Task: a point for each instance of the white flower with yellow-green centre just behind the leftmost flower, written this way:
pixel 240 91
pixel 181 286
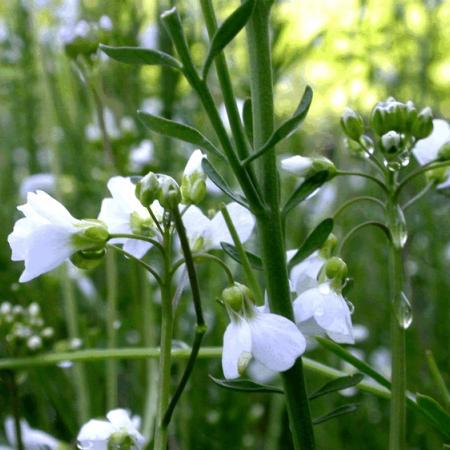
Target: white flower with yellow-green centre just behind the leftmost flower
pixel 124 214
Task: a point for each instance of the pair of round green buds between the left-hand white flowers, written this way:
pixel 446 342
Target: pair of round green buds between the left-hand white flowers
pixel 160 187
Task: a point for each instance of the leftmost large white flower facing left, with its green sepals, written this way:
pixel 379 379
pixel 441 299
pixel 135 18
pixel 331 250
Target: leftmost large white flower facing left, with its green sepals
pixel 45 237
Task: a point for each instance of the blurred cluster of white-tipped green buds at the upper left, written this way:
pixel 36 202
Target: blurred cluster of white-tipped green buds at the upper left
pixel 84 38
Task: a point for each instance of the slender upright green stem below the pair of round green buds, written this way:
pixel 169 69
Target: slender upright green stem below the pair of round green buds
pixel 161 436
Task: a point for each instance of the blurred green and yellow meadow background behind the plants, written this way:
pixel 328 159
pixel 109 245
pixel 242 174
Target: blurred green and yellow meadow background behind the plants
pixel 353 53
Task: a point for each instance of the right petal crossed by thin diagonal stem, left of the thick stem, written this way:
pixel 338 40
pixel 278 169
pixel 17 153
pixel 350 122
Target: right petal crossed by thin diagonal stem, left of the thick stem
pixel 243 221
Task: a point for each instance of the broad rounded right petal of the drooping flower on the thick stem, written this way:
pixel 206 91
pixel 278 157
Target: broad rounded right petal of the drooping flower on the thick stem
pixel 276 341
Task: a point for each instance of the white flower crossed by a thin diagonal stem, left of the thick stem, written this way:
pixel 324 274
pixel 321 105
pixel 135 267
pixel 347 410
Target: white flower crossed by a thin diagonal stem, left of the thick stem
pixel 205 234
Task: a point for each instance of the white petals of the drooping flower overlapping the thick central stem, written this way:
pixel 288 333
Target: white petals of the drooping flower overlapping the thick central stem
pixel 272 340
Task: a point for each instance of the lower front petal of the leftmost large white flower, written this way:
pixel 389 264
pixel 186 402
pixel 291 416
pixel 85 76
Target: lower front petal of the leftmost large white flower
pixel 48 247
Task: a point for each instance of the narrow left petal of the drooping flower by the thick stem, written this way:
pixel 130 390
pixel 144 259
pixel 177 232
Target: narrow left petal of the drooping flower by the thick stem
pixel 236 341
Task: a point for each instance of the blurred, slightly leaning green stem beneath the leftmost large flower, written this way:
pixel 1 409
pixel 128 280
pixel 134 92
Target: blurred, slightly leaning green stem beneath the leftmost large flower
pixel 73 331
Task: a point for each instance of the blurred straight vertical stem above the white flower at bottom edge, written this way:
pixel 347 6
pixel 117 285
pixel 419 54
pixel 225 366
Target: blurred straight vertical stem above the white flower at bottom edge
pixel 111 331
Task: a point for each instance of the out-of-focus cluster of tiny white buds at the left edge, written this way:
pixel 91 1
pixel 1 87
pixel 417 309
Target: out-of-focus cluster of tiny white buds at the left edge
pixel 22 330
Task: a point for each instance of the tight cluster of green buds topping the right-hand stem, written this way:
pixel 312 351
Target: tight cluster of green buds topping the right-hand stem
pixel 395 128
